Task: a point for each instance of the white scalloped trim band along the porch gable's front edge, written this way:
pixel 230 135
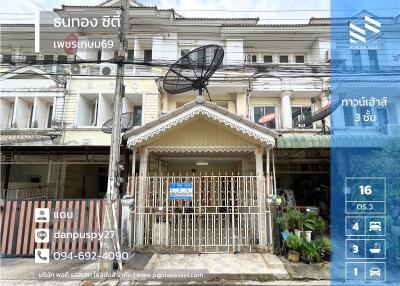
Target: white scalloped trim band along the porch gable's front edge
pixel 200 110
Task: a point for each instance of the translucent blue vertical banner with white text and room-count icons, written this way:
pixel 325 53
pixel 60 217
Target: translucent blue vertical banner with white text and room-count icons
pixel 365 142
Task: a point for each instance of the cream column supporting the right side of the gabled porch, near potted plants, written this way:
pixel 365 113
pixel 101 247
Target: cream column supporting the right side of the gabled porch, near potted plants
pixel 261 199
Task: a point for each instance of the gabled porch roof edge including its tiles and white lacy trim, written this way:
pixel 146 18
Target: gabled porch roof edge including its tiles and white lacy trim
pixel 251 131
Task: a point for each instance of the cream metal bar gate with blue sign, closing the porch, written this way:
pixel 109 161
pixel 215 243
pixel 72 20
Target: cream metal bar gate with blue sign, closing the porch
pixel 224 214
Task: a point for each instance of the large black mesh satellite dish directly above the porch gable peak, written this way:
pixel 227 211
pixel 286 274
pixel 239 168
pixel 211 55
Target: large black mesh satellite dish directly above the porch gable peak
pixel 193 70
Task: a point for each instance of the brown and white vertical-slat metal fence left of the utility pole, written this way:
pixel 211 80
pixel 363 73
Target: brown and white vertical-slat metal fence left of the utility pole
pixel 17 226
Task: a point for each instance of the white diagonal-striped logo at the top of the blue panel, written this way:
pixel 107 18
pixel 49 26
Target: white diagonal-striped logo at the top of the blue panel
pixel 359 34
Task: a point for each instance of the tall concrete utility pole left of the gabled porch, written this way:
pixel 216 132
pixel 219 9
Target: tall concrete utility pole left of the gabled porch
pixel 112 244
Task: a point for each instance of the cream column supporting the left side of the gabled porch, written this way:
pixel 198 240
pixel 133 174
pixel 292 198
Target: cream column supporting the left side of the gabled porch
pixel 140 199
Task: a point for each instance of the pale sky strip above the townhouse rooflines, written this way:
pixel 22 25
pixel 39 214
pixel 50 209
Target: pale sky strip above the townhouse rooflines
pixel 278 11
